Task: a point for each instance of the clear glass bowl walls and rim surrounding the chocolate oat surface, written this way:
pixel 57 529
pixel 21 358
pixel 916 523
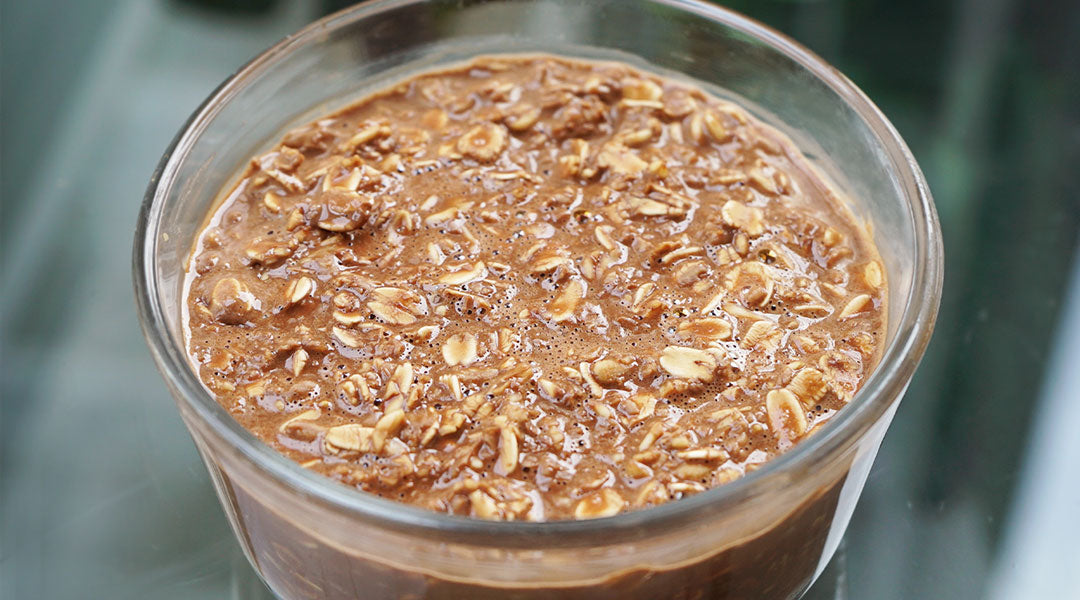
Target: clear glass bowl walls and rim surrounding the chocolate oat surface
pixel 765 536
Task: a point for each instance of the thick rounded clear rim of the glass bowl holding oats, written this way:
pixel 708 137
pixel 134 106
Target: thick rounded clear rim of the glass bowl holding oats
pixel 888 381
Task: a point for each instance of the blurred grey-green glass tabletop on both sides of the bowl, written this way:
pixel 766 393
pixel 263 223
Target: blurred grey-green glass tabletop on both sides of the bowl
pixel 977 488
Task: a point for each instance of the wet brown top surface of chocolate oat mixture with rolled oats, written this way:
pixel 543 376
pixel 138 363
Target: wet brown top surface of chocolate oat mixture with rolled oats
pixel 534 289
